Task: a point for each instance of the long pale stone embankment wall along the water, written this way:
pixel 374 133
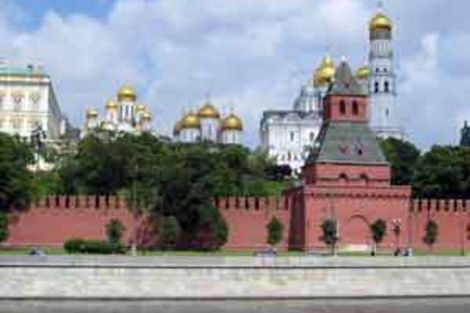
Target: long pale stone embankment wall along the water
pixel 172 278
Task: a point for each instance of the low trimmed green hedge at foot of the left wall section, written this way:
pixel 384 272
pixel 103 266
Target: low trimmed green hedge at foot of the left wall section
pixel 77 245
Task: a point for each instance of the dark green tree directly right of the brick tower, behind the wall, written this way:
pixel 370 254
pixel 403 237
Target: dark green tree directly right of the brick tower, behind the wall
pixel 403 157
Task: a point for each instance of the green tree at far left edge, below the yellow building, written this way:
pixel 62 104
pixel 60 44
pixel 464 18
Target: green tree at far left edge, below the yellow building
pixel 15 179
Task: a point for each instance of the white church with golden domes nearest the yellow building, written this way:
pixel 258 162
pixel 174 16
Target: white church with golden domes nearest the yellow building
pixel 122 114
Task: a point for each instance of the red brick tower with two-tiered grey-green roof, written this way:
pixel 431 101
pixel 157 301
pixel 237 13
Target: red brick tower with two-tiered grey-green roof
pixel 347 177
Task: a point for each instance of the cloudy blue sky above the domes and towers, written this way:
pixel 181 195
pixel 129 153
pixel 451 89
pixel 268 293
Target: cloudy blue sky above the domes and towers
pixel 251 55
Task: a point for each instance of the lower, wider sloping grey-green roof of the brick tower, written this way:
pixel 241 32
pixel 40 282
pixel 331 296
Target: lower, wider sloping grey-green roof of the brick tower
pixel 347 142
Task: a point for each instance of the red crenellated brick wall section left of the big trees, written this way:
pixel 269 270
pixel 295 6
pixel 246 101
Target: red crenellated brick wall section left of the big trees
pixel 54 220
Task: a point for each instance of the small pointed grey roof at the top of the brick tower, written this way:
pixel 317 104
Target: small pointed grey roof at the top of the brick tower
pixel 345 83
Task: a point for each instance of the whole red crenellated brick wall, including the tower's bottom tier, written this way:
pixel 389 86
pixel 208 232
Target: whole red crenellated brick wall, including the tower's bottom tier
pixel 53 220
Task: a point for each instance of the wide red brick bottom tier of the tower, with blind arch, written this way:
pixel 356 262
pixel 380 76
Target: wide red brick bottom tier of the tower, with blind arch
pixel 355 209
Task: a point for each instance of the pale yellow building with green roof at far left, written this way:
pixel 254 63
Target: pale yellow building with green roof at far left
pixel 28 100
